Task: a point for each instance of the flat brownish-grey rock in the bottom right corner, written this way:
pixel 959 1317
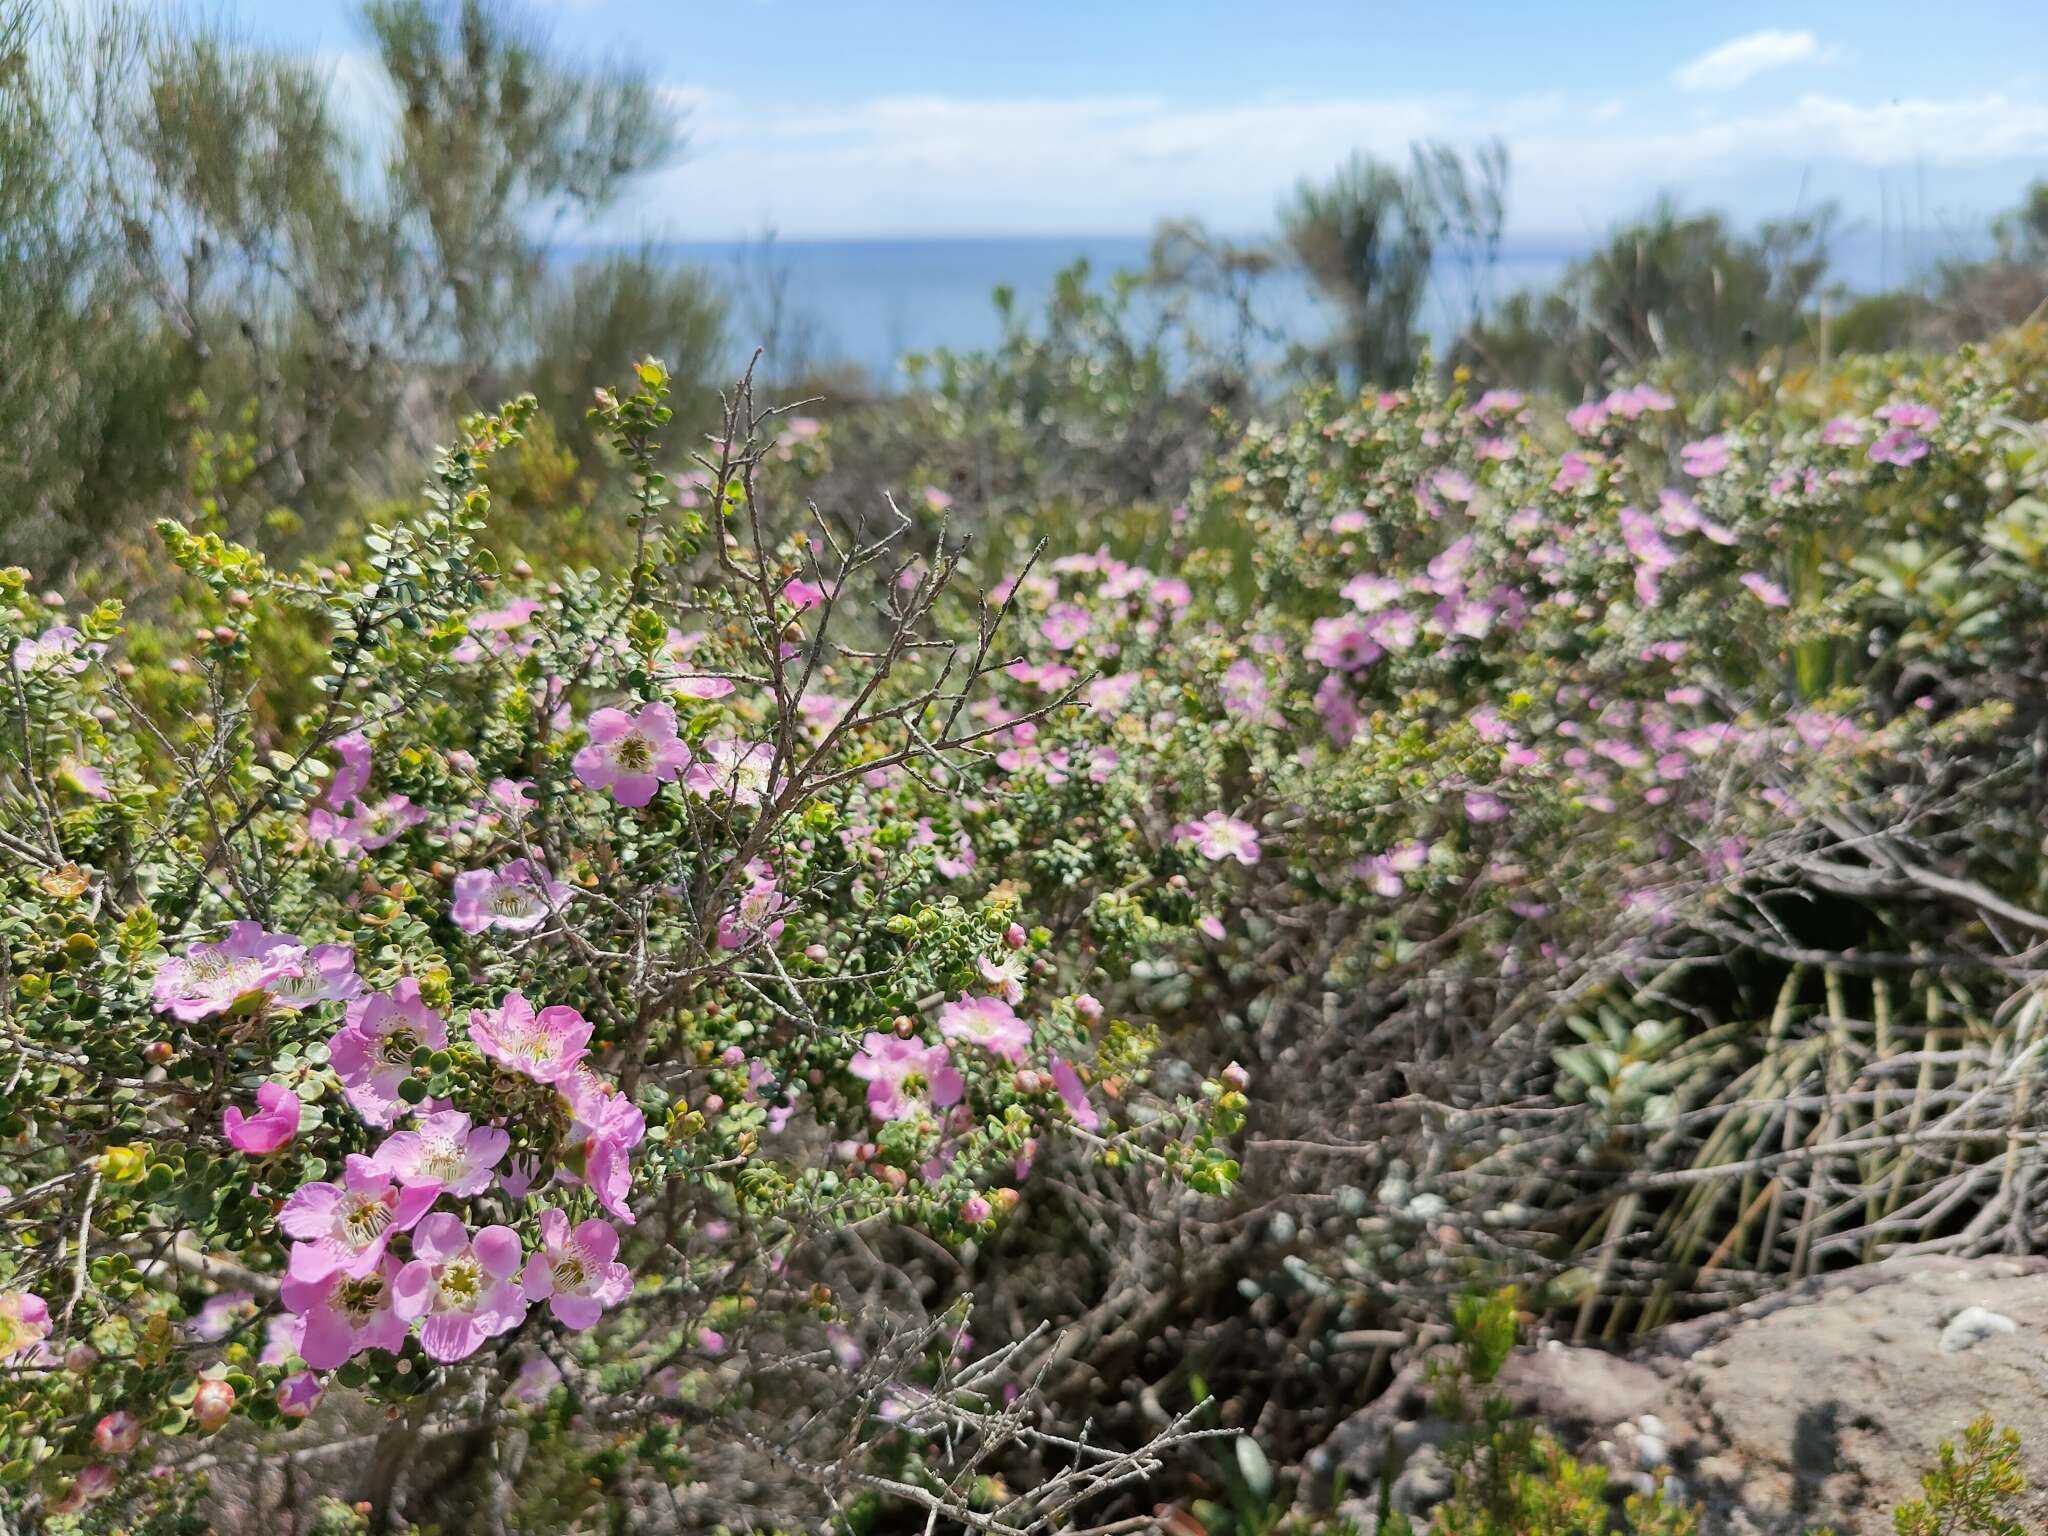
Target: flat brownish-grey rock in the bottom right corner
pixel 1814 1408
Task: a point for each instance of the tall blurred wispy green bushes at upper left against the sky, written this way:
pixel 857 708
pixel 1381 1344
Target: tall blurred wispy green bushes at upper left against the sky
pixel 202 253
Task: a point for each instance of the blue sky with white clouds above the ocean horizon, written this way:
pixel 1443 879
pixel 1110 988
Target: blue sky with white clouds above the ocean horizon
pixel 904 118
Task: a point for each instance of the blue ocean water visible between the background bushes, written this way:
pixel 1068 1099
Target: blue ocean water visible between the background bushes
pixel 871 302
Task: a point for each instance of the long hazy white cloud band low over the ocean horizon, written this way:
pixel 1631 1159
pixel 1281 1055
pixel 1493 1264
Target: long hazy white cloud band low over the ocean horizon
pixel 1115 165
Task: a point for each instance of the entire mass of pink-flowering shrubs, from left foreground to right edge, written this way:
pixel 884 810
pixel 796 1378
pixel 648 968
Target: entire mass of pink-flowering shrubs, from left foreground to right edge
pixel 671 1013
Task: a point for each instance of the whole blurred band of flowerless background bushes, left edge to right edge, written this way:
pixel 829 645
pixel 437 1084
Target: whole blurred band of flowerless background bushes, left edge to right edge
pixel 239 284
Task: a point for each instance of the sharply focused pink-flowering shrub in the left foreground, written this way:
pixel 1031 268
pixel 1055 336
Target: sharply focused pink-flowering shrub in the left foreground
pixel 466 1025
